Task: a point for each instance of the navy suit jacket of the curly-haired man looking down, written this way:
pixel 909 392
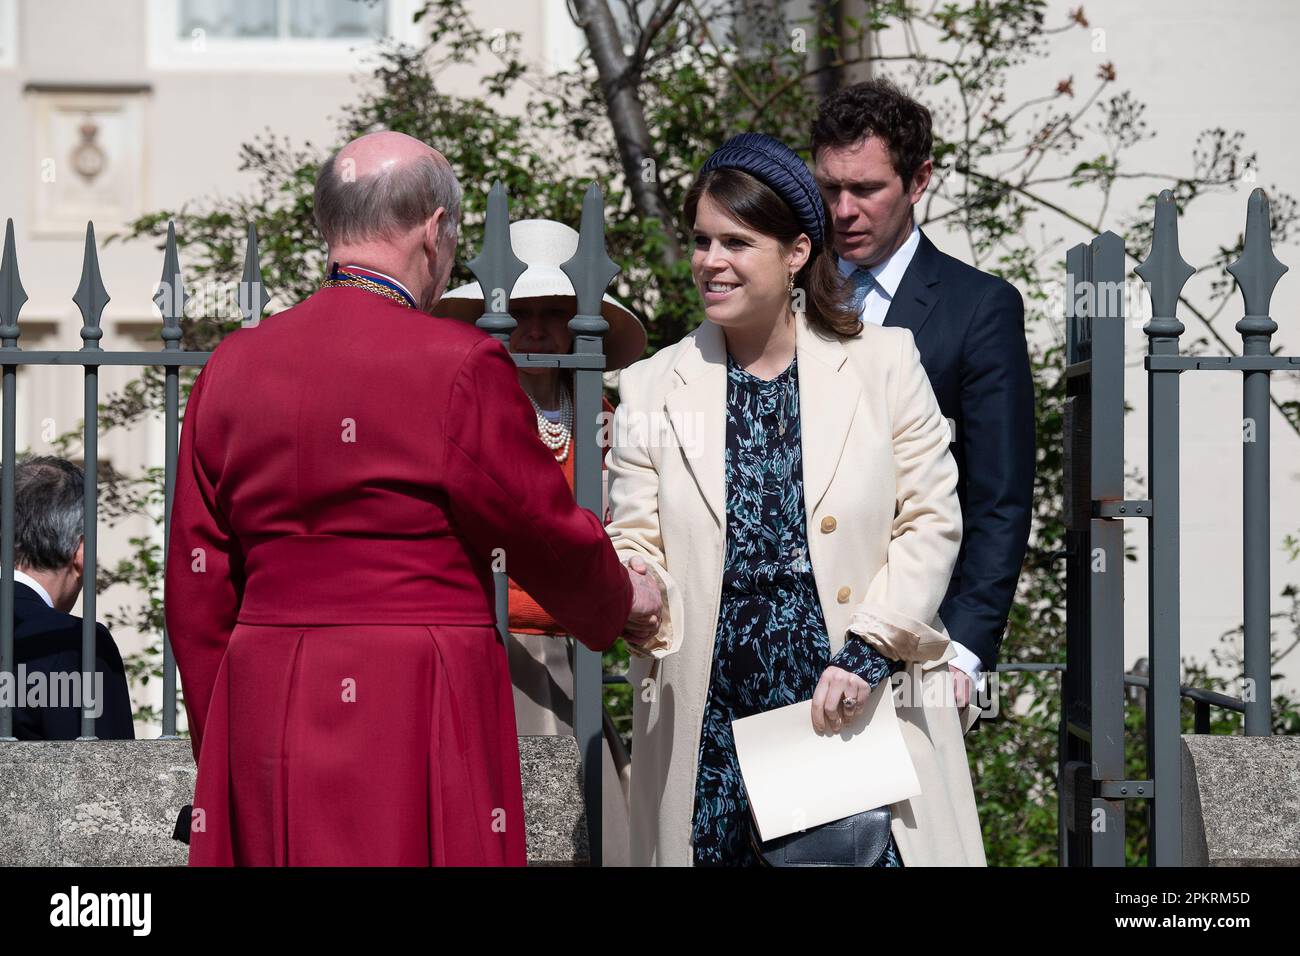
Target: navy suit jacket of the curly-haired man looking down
pixel 970 331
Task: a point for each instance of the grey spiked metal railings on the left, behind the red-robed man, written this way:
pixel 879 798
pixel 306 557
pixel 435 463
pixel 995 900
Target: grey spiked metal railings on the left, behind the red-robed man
pixel 497 269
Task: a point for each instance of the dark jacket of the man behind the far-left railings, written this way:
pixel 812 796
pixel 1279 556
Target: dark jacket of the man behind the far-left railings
pixel 49 641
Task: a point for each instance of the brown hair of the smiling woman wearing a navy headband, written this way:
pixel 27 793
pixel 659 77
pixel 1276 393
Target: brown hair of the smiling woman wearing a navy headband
pixel 747 200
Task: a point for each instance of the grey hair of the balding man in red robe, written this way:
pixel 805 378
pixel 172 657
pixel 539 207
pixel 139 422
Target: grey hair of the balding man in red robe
pixel 383 205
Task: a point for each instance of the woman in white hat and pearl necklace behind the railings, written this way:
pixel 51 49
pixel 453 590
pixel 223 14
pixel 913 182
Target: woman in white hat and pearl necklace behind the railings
pixel 543 302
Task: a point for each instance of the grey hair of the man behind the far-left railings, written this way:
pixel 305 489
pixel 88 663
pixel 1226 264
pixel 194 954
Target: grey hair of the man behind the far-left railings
pixel 47 513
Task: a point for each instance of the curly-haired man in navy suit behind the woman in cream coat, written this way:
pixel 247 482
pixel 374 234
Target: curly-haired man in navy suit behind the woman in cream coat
pixel 872 146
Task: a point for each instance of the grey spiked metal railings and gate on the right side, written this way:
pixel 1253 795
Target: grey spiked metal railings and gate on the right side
pixel 1093 773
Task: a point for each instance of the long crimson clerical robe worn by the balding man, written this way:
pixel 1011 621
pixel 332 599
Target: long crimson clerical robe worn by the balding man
pixel 348 471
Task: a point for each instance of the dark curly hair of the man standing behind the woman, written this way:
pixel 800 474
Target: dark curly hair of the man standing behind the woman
pixel 877 109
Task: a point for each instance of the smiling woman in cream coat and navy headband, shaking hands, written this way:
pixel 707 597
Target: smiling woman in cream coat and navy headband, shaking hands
pixel 804 533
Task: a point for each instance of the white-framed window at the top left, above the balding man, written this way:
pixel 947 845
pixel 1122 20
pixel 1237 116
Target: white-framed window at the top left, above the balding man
pixel 274 34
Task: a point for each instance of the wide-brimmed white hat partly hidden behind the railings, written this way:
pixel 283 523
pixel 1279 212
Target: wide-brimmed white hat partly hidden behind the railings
pixel 544 245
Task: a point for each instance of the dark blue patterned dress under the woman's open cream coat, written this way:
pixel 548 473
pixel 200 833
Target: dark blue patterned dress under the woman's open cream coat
pixel 772 643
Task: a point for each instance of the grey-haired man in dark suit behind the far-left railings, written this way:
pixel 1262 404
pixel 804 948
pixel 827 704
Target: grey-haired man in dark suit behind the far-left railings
pixel 47 578
